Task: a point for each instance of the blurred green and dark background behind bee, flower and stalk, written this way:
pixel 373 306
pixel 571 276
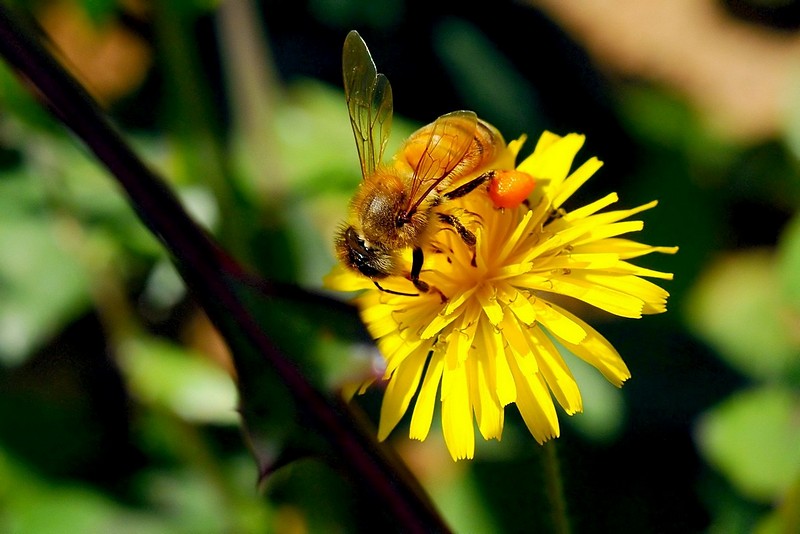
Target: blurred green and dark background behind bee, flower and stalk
pixel 117 407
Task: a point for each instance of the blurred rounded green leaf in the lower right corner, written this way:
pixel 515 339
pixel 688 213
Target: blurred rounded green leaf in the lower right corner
pixel 752 439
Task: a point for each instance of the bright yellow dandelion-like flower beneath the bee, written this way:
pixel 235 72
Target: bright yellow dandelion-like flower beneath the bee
pixel 490 341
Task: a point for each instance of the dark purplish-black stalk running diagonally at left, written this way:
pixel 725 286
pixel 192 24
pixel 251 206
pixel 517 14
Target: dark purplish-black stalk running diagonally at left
pixel 205 268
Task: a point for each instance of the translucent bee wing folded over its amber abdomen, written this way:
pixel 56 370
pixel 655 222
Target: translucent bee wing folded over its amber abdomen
pixel 450 138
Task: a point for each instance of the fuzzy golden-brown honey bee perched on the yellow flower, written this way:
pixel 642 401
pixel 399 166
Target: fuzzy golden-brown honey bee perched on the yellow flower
pixel 401 204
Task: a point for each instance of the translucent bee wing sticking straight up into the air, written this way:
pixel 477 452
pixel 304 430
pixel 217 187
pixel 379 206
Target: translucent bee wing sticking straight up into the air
pixel 369 102
